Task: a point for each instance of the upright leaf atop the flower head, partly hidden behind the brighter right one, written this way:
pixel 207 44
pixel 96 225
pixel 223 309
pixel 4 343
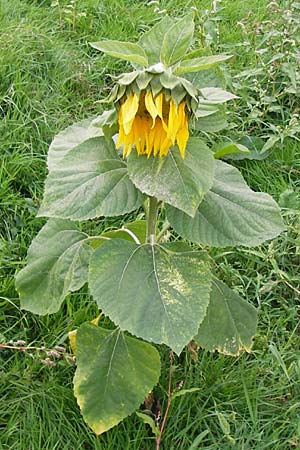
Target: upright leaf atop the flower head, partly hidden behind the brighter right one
pixel 152 40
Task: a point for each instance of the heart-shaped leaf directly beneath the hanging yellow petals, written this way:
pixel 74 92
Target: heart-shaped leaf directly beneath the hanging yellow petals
pixel 179 182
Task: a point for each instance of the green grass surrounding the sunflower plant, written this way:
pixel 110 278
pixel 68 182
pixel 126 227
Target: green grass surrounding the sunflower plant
pixel 49 79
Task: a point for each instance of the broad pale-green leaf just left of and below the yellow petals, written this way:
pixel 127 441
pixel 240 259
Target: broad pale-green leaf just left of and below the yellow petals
pixel 90 181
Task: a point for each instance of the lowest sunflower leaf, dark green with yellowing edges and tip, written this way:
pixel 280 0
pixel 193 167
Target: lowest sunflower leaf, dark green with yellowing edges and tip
pixel 114 374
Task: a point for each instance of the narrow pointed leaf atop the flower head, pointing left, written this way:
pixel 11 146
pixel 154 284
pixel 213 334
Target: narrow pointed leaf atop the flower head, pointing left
pixel 123 50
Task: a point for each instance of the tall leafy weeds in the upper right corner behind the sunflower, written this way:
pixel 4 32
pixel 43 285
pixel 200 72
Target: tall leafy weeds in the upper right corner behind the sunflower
pixel 268 75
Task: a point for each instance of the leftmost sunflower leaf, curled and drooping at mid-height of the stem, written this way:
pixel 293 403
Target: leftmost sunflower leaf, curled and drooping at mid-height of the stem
pixel 57 263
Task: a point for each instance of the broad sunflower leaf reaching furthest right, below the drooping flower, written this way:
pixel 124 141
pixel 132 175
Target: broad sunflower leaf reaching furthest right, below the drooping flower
pixel 230 214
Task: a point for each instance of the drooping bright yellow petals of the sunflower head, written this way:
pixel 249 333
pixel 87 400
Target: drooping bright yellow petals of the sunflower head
pixel 152 124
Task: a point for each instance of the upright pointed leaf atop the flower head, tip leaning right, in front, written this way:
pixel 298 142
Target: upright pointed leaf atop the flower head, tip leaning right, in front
pixel 177 40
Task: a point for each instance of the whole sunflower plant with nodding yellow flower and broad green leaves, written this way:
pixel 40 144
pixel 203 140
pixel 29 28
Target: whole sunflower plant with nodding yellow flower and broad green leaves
pixel 146 152
